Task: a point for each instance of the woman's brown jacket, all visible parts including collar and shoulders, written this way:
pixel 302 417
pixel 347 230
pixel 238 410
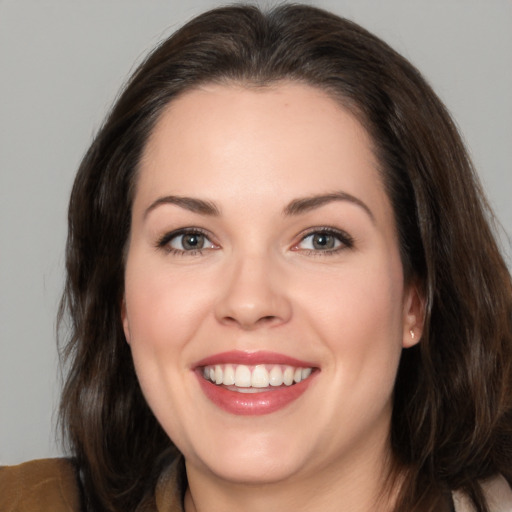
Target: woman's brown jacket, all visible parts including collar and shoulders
pixel 49 485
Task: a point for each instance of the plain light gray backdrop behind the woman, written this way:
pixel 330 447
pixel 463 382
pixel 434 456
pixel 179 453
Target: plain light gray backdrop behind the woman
pixel 61 65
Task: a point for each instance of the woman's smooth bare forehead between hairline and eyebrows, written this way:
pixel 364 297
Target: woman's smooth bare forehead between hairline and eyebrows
pixel 282 141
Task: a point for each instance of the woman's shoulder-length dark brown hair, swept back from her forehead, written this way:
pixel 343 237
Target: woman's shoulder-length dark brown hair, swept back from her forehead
pixel 452 415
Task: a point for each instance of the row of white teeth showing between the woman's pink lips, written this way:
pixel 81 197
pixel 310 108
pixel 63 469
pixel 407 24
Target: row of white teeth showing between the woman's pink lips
pixel 254 379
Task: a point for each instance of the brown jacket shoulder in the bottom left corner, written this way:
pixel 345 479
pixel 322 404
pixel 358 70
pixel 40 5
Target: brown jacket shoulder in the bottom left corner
pixel 39 486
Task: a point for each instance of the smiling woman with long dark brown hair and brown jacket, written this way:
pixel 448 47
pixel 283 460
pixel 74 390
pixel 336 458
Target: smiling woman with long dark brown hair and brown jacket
pixel 283 286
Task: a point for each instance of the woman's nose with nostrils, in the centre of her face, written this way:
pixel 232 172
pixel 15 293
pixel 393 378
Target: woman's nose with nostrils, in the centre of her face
pixel 253 295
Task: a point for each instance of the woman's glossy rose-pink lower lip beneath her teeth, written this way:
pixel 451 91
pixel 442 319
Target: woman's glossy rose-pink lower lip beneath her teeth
pixel 252 404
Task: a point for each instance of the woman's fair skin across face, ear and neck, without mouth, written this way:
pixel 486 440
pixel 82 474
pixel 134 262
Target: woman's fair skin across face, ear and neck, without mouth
pixel 259 285
